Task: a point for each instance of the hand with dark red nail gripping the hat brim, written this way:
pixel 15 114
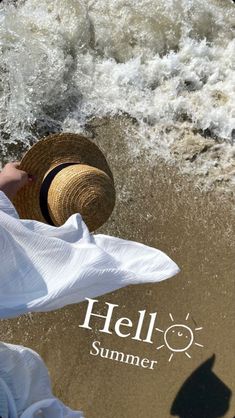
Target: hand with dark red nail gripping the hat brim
pixel 12 179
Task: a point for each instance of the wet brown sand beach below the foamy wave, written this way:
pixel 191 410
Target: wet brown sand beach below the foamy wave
pixel 160 207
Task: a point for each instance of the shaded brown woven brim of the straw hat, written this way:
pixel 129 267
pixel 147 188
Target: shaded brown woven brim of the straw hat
pixel 46 154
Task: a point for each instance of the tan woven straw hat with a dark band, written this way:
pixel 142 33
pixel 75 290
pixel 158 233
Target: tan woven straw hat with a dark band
pixel 72 175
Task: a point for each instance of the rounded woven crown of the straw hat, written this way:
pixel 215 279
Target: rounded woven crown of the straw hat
pixel 80 188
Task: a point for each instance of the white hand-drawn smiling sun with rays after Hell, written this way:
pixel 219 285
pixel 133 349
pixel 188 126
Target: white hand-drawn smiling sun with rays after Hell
pixel 179 338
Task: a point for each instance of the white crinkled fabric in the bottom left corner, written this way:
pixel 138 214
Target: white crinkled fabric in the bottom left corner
pixel 25 387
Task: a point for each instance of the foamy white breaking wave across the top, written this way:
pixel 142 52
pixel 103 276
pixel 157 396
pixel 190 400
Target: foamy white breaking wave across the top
pixel 169 65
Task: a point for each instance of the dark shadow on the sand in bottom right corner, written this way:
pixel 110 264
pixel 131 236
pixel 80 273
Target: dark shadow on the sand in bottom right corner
pixel 203 394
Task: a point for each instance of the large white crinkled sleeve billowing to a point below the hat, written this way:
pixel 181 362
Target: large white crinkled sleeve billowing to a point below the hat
pixel 44 267
